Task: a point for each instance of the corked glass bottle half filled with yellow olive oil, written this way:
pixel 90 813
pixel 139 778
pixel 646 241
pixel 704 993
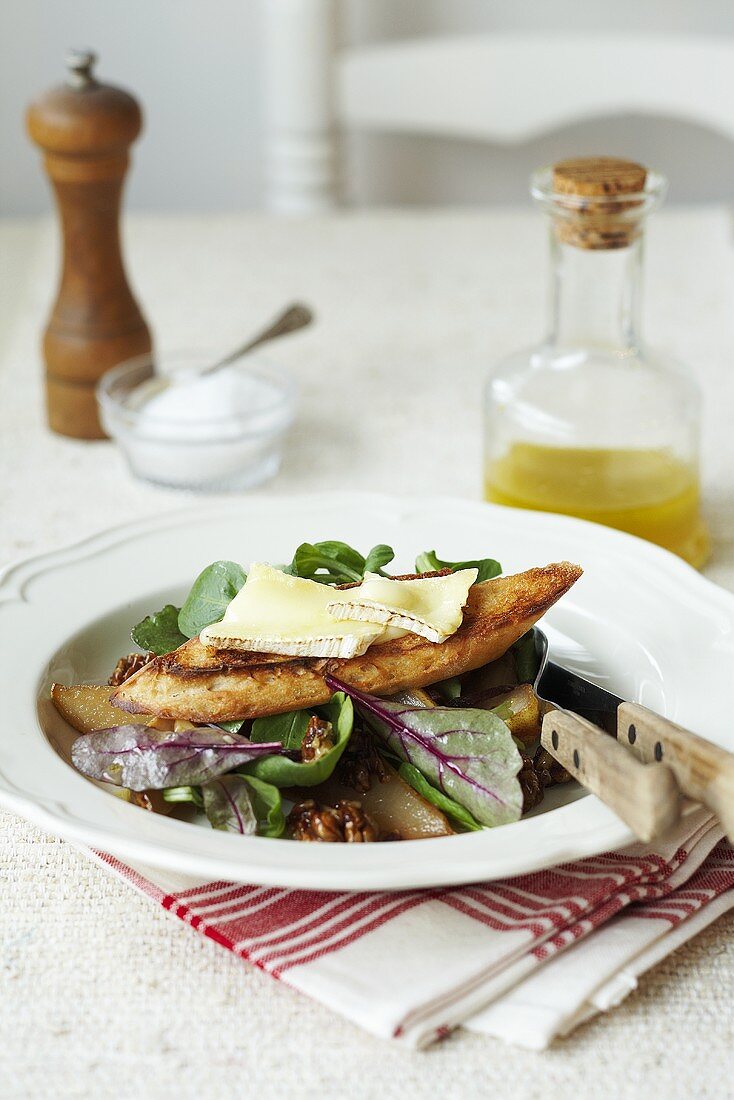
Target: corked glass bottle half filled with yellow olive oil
pixel 591 424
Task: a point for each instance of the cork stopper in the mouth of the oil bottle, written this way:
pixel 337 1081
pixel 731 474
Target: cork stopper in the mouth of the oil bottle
pixel 597 215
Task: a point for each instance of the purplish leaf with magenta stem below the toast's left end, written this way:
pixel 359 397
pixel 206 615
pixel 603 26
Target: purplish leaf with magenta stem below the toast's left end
pixel 143 758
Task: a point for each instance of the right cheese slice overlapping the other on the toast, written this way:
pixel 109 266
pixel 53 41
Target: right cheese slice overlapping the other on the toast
pixel 431 607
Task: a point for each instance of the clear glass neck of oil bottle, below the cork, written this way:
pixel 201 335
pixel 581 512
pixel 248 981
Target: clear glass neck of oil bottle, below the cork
pixel 596 296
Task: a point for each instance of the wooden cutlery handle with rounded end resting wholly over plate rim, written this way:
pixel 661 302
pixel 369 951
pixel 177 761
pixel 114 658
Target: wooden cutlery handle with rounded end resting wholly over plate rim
pixel 647 798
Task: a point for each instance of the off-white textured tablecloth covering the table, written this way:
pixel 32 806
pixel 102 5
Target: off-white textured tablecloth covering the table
pixel 101 993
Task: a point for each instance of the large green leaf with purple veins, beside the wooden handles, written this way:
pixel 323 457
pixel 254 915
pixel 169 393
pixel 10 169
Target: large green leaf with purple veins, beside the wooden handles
pixel 467 754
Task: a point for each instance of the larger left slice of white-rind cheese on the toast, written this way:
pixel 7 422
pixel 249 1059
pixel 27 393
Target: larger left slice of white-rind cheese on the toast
pixel 280 614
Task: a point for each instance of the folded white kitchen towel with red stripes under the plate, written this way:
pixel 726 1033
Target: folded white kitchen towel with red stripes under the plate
pixel 525 960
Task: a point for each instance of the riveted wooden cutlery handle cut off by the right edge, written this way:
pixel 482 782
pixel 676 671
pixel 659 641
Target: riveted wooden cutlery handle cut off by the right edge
pixel 705 772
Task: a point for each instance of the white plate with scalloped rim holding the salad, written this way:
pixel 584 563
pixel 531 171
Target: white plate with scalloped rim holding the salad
pixel 639 621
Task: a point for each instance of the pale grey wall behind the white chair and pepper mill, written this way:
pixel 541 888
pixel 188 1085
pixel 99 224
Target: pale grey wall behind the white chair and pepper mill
pixel 195 65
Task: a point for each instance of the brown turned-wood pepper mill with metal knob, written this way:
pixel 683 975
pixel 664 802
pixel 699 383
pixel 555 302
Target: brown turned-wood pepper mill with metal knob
pixel 85 130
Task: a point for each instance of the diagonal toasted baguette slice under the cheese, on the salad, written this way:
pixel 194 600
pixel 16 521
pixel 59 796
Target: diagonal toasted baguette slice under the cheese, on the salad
pixel 203 685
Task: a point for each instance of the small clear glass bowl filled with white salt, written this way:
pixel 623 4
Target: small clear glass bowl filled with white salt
pixel 216 434
